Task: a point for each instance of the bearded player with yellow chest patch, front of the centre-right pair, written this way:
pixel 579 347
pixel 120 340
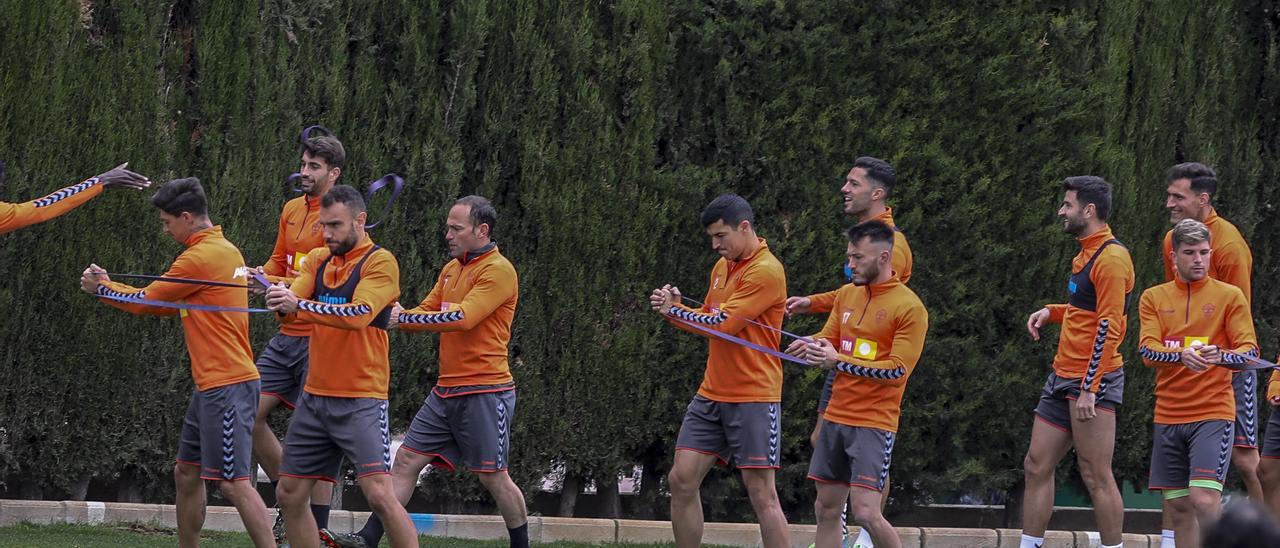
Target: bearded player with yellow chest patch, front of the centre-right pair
pixel 874 339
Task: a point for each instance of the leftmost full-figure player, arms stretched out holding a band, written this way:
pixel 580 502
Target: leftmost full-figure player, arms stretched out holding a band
pixel 217 433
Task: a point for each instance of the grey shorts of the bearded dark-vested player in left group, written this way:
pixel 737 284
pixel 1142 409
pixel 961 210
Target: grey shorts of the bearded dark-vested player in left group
pixel 324 430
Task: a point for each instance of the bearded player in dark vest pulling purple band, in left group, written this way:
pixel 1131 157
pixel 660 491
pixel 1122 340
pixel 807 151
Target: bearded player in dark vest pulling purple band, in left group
pixel 346 293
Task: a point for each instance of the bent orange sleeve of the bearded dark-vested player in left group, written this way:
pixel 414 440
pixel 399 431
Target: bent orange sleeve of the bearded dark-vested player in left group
pixel 380 287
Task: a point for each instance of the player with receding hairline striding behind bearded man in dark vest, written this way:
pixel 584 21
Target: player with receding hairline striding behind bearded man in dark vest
pixel 468 417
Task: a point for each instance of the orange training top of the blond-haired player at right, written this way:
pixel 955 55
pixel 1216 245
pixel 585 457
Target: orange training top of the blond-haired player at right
pixel 1177 314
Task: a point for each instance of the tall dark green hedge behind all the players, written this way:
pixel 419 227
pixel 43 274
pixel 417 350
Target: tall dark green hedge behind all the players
pixel 601 130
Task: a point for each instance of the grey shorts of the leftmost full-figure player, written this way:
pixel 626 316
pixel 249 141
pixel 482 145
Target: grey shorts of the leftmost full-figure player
pixel 218 432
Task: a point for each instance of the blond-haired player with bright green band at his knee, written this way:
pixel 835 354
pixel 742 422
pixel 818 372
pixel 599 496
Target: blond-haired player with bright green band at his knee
pixel 1188 327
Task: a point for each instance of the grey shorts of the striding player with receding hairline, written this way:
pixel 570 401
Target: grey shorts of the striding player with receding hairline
pixel 468 426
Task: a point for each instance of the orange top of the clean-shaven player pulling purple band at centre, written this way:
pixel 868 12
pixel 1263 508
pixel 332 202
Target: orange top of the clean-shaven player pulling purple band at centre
pixel 755 289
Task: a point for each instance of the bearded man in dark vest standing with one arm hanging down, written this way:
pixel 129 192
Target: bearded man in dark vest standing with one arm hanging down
pixel 1087 372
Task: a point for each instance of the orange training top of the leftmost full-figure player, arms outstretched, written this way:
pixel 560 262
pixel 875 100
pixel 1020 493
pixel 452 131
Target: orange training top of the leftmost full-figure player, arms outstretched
pixel 217 342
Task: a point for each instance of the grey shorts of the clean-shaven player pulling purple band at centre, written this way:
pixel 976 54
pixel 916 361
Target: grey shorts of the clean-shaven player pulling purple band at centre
pixel 744 435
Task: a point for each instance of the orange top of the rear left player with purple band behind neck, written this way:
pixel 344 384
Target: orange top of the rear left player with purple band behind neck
pixel 299 235
